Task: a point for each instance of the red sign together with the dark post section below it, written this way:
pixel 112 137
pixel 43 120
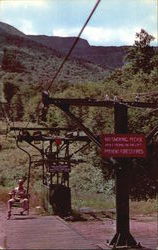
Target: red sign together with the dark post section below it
pixel 123 146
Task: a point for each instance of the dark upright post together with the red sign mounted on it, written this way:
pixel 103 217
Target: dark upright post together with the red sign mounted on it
pixel 123 236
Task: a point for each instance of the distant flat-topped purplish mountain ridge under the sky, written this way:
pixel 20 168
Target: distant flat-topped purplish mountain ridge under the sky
pixel 108 57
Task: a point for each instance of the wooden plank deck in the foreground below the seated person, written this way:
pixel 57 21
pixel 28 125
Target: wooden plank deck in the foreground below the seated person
pixel 47 232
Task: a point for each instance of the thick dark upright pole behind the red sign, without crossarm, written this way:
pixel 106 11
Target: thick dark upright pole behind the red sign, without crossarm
pixel 122 236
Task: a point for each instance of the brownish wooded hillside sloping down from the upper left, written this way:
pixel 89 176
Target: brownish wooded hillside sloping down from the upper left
pixel 24 60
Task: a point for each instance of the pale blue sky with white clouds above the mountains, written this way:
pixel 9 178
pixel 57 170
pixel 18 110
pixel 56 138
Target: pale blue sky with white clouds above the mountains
pixel 114 23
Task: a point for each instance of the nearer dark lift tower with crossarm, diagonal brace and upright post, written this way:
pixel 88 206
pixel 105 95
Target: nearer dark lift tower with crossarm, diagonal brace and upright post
pixel 123 236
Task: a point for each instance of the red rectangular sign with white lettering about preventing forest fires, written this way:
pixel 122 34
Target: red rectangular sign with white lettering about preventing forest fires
pixel 124 145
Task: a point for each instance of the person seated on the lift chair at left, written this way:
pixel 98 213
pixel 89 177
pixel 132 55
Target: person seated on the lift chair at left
pixel 18 194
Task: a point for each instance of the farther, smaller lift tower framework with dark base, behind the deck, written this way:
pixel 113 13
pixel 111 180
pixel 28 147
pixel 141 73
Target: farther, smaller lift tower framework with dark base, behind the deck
pixel 55 157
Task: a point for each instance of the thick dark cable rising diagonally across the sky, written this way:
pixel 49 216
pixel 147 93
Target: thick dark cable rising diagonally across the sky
pixel 74 44
